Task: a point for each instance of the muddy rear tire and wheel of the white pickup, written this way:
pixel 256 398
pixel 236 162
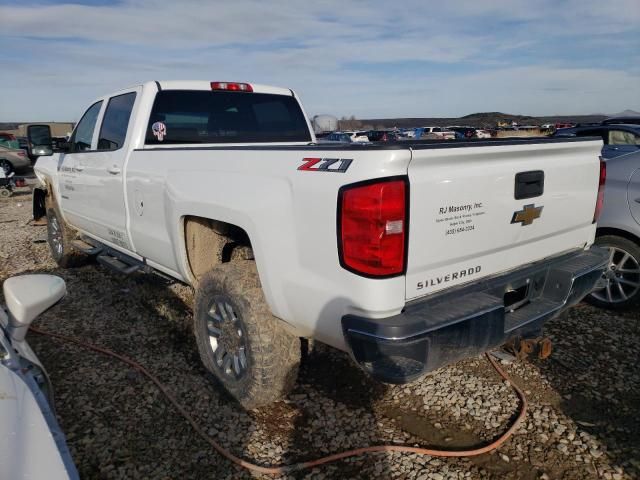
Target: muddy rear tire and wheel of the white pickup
pixel 244 347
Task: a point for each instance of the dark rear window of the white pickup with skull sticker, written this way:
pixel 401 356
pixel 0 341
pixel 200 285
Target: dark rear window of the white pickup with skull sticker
pixel 193 117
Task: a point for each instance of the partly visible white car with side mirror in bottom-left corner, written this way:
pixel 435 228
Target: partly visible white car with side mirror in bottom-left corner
pixel 33 445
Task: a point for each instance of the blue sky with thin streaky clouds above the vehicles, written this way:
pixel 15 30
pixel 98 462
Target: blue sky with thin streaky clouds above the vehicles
pixel 364 58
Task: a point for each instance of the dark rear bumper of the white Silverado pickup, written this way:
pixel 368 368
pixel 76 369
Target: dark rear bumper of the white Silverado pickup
pixel 473 319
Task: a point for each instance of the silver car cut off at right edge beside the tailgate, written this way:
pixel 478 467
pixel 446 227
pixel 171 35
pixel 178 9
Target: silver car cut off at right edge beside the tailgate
pixel 619 230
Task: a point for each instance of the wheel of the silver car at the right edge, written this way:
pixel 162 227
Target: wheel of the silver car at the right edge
pixel 622 278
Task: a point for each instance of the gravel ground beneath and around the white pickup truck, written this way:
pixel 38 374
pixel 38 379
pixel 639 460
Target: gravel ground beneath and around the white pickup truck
pixel 582 421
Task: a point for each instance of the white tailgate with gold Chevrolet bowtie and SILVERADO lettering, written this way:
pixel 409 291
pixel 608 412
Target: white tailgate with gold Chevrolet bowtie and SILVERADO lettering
pixel 465 220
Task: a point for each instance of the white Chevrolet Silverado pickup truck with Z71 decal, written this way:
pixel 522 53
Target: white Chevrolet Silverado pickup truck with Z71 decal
pixel 409 256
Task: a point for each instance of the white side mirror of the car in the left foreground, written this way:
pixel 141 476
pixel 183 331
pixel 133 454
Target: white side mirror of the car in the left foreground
pixel 28 296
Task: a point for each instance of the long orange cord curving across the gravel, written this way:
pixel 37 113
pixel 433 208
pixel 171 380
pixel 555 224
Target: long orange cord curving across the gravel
pixel 312 463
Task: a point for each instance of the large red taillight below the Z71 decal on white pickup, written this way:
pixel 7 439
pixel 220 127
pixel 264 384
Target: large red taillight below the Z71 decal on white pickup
pixel 372 227
